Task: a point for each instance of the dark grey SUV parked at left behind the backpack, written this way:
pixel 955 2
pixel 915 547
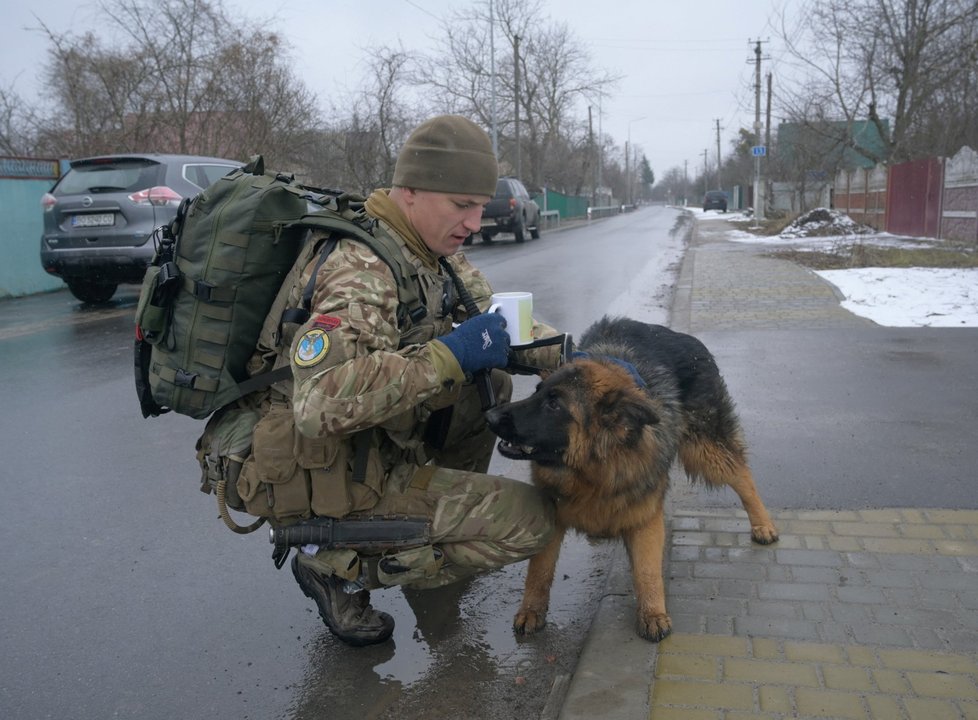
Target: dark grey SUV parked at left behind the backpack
pixel 100 215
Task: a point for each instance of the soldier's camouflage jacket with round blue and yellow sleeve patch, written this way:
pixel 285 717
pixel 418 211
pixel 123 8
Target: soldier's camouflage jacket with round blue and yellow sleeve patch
pixel 354 368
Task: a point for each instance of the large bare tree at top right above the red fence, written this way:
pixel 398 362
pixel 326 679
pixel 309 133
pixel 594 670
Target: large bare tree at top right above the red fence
pixel 893 62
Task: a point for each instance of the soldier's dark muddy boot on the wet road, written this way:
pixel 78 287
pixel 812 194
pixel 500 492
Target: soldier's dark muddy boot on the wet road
pixel 348 616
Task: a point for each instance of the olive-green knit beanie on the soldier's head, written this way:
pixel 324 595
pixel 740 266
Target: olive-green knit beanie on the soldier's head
pixel 448 153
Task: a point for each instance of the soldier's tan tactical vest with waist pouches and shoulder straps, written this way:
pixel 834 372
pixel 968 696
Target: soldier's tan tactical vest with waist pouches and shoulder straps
pixel 288 476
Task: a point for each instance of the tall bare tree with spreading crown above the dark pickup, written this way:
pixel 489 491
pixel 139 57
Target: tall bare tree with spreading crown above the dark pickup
pixel 554 74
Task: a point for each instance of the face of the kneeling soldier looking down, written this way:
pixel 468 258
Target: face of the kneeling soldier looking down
pixel 444 220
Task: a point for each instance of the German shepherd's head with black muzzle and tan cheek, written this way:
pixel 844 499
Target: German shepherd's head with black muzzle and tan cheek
pixel 578 415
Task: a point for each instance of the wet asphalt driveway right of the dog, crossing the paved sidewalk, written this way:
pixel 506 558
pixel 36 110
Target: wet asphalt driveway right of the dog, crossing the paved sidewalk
pixel 855 418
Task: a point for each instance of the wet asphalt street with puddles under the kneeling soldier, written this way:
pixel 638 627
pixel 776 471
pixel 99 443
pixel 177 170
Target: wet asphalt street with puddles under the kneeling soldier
pixel 125 596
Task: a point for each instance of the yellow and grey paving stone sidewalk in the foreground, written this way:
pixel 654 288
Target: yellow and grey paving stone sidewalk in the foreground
pixel 853 614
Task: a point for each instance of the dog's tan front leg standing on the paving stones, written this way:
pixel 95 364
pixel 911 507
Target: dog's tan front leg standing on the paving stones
pixel 646 545
